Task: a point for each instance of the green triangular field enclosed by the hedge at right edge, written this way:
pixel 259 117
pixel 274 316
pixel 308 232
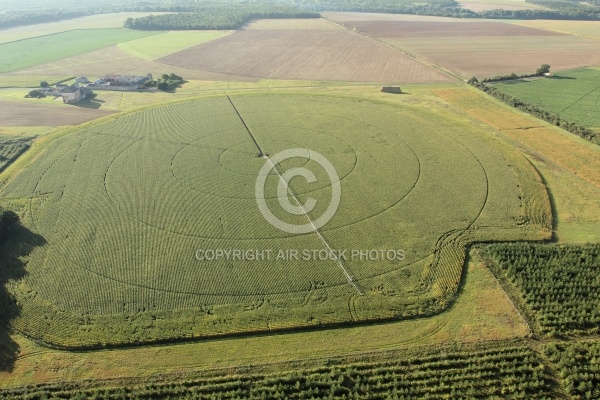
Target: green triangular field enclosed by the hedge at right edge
pixel 573 95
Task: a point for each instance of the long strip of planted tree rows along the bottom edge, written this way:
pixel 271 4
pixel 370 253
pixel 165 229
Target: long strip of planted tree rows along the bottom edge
pixel 514 372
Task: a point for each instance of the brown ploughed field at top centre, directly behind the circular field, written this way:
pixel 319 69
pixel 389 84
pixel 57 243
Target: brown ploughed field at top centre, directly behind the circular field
pixel 304 54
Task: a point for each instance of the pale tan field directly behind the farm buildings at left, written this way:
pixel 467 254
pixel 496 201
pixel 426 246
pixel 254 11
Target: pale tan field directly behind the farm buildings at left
pixel 111 60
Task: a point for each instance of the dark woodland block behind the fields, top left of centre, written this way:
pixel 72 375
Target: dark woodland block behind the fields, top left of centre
pixel 215 16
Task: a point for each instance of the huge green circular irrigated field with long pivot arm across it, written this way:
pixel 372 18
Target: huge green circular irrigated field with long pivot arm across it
pixel 125 205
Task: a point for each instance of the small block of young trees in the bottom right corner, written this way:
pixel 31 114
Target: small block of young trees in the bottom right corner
pixel 578 365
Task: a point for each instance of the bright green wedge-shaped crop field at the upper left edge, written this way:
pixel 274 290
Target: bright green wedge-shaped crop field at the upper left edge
pixel 29 52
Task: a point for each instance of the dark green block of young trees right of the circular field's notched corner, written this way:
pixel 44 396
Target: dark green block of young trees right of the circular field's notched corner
pixel 559 283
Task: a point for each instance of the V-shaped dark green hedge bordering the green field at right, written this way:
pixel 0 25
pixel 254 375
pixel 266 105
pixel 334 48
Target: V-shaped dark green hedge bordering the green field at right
pixel 533 109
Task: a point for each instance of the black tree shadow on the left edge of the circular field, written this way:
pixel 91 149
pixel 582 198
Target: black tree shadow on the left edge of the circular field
pixel 17 244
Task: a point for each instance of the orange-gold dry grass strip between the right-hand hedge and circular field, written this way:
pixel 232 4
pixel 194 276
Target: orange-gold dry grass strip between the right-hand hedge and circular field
pixel 562 148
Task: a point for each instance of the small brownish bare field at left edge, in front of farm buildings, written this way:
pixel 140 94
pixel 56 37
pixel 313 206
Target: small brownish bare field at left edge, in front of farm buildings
pixel 25 114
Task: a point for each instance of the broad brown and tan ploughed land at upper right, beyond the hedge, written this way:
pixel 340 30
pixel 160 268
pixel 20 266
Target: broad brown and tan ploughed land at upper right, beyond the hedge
pixel 477 48
